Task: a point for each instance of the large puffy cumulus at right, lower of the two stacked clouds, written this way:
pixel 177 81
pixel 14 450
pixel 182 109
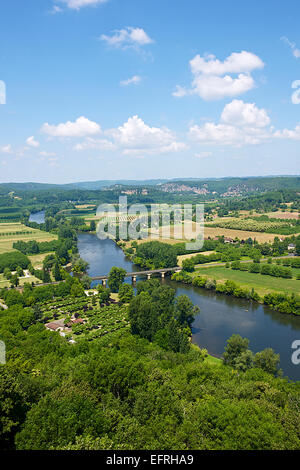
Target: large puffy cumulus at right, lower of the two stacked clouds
pixel 240 124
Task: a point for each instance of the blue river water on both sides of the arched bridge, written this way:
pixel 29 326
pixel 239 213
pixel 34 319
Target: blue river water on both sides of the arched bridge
pixel 220 316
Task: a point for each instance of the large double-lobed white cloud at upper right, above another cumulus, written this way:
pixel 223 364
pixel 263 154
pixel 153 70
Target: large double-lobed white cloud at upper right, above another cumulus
pixel 211 76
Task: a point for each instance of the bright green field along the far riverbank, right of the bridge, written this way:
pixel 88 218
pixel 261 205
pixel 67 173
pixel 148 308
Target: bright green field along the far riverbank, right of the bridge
pixel 262 284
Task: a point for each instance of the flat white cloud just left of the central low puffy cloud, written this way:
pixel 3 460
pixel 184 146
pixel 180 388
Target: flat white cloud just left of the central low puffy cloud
pixel 82 127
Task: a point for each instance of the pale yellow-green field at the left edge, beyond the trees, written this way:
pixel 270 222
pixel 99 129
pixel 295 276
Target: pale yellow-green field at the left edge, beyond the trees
pixel 8 235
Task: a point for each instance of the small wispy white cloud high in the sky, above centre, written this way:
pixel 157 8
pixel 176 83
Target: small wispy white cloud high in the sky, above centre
pixel 127 37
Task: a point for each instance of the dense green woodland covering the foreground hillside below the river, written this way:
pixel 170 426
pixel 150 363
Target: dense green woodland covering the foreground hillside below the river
pixel 147 388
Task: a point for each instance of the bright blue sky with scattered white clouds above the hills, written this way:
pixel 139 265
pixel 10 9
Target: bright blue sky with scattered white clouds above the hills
pixel 137 89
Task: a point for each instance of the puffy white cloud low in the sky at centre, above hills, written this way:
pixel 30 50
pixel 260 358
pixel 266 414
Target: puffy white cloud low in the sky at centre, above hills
pixel 136 137
